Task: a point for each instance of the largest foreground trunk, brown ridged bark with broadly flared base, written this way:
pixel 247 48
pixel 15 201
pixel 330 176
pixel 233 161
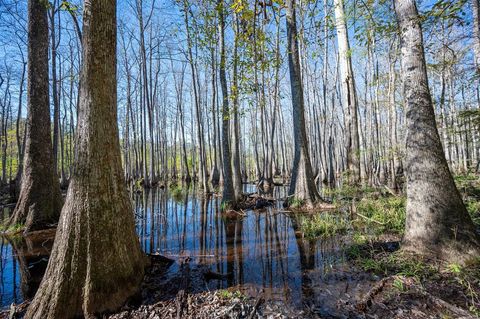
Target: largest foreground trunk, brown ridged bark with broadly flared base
pixel 96 262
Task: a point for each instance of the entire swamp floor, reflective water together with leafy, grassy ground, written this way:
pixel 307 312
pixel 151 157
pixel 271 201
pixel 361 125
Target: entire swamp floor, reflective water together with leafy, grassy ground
pixel 337 264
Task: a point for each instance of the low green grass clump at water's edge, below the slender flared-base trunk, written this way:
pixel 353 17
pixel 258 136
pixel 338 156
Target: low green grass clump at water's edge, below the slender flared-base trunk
pixel 323 225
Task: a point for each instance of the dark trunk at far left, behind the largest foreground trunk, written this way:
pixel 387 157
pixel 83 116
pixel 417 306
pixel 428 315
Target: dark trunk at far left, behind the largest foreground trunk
pixel 40 201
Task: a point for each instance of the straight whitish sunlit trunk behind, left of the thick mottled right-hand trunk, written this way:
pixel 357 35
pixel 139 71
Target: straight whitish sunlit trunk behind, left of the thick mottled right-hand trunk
pixel 349 94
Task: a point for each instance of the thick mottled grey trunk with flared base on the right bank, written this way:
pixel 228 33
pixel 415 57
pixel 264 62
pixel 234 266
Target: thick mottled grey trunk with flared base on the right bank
pixel 437 221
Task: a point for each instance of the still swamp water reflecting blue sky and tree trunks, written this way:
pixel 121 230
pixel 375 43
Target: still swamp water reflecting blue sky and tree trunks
pixel 262 251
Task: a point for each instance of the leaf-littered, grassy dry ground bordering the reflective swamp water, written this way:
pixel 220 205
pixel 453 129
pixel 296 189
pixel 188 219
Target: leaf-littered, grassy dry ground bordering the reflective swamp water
pixel 388 283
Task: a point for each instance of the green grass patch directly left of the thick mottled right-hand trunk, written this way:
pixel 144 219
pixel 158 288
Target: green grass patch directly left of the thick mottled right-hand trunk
pixel 385 214
